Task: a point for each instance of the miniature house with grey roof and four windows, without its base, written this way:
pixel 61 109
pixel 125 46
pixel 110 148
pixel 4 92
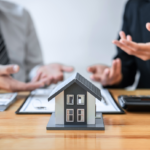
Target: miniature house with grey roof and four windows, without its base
pixel 75 102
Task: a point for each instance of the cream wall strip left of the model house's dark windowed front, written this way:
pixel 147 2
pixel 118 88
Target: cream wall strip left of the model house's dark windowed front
pixel 59 108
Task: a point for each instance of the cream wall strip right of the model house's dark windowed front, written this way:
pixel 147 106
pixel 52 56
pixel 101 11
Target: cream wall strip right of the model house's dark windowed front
pixel 90 108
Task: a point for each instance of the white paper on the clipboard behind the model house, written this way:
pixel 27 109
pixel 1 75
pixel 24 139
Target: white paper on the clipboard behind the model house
pixel 38 102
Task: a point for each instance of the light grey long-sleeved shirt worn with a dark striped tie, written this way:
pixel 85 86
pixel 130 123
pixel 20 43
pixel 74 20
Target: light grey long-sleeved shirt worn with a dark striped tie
pixel 21 40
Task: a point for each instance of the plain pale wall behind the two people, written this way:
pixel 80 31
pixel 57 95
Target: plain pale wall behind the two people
pixel 76 32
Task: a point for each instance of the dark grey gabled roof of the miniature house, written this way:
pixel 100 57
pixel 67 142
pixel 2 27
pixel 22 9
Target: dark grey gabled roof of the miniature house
pixel 81 81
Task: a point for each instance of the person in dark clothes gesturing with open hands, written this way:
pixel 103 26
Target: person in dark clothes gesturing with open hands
pixel 131 56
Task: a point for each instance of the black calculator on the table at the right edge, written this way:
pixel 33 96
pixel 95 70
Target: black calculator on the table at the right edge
pixel 133 102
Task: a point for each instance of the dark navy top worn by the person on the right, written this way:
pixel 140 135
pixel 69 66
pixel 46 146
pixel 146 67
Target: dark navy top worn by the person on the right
pixel 137 14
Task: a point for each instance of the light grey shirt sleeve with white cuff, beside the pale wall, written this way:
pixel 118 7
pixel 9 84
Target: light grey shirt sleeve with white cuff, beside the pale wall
pixel 33 57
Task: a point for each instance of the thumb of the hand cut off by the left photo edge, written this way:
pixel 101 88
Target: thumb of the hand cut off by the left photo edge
pixel 8 69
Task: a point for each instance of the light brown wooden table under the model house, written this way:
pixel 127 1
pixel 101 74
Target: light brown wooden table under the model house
pixel 28 132
